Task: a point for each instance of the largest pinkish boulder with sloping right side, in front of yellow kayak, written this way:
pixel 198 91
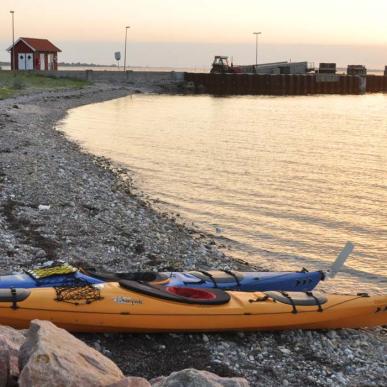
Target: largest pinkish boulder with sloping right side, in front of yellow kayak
pixel 51 356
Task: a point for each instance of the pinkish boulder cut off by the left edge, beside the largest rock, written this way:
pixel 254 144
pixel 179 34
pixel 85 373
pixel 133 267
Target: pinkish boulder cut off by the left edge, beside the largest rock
pixel 10 342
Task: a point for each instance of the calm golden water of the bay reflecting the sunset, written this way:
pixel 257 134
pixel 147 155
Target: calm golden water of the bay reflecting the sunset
pixel 286 180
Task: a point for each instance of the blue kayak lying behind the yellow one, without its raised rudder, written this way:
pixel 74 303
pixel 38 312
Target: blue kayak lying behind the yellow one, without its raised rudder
pixel 226 280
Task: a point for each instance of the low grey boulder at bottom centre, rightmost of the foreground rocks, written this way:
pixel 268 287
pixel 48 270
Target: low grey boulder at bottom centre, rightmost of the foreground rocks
pixel 195 378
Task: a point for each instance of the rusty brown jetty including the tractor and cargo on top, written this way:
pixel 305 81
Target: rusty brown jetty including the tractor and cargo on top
pixel 284 78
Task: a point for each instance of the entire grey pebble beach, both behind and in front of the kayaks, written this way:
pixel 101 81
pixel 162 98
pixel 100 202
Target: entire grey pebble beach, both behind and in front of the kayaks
pixel 59 202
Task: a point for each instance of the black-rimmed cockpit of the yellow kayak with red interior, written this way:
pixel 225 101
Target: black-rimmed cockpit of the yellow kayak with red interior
pixel 183 295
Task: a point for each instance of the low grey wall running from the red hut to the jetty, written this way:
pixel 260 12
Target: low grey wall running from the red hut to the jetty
pixel 118 76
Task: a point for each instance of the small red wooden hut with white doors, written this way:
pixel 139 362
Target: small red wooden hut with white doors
pixel 34 54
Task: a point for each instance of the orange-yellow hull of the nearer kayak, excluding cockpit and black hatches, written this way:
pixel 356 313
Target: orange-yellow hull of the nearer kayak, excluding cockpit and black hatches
pixel 123 310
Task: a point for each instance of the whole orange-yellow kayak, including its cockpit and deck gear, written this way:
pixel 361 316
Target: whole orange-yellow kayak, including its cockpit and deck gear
pixel 135 307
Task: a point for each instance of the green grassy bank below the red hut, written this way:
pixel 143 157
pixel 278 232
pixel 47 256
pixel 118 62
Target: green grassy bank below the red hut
pixel 12 84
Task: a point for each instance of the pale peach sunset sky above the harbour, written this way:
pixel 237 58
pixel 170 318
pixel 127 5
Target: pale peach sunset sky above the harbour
pixel 188 33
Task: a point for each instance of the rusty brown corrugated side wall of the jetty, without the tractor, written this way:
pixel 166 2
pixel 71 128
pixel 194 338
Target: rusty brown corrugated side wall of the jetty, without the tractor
pixel 285 84
